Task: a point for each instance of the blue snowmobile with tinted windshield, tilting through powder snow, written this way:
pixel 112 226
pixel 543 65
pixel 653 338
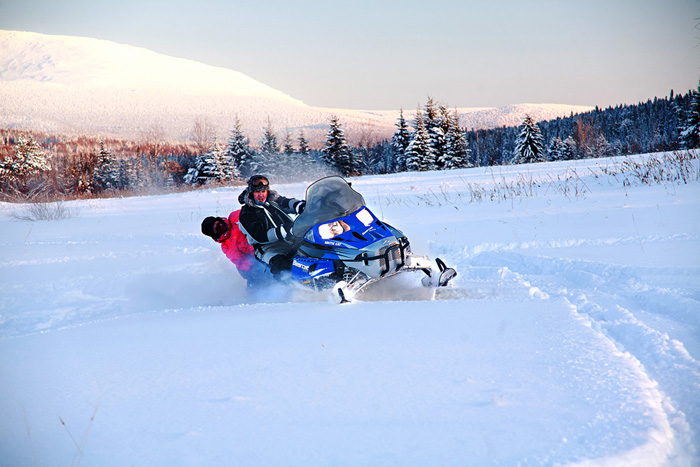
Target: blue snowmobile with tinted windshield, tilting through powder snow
pixel 346 248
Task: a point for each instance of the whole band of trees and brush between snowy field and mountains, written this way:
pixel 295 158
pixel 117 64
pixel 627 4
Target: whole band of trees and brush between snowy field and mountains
pixel 33 166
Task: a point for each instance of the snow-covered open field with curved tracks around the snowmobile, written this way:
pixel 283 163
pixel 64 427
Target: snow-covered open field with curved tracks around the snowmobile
pixel 570 336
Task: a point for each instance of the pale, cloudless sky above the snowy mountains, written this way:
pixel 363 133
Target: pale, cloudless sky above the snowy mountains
pixel 386 55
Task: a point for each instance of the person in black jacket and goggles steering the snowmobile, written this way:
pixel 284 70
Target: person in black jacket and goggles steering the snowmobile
pixel 265 220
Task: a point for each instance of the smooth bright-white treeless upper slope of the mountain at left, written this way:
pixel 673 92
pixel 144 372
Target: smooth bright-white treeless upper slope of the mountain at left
pixel 98 64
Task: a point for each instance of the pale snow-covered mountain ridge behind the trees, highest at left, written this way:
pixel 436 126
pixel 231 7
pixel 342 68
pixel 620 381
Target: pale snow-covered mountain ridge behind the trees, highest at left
pixel 68 84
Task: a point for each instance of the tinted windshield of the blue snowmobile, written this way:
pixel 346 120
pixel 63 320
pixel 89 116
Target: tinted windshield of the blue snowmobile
pixel 327 199
